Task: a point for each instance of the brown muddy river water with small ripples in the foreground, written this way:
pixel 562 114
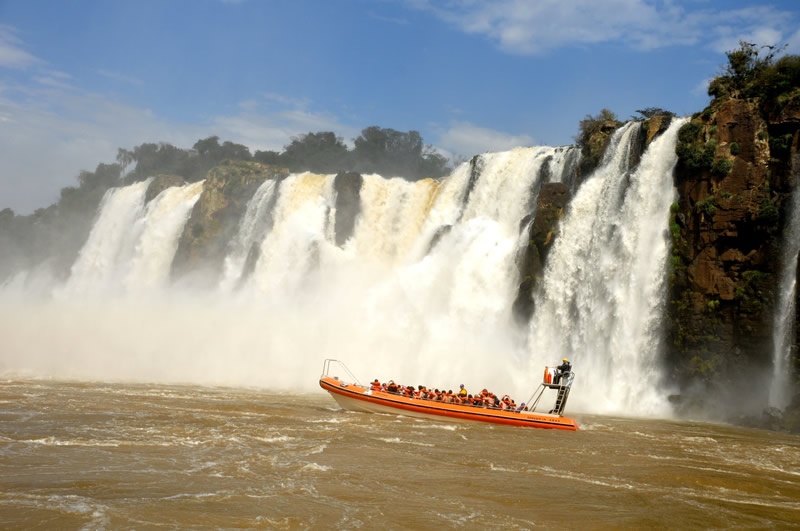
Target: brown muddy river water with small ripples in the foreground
pixel 121 456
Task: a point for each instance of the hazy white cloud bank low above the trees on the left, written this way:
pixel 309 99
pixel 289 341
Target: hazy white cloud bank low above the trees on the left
pixel 48 134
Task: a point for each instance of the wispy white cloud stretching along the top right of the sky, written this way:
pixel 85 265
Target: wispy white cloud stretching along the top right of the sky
pixel 525 27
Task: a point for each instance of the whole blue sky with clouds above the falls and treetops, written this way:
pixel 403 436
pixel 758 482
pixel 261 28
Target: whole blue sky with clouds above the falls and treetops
pixel 80 79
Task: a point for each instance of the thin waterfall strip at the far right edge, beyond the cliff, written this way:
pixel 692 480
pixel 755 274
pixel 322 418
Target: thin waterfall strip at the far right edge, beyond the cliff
pixel 783 327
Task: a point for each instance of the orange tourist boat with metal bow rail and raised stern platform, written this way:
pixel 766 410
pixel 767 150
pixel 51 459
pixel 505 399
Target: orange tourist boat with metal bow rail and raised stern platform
pixel 357 397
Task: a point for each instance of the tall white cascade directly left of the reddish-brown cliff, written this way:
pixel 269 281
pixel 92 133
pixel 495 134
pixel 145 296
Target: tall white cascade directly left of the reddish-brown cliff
pixel 604 283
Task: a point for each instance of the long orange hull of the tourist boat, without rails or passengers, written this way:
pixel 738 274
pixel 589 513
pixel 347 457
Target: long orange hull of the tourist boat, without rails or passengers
pixel 358 398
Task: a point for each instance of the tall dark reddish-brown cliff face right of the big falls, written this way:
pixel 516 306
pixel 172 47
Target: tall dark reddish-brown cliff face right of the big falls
pixel 727 230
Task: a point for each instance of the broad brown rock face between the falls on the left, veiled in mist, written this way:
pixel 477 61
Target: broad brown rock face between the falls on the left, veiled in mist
pixel 215 217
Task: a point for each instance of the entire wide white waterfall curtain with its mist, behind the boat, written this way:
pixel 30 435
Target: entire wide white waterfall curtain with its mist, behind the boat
pixel 420 293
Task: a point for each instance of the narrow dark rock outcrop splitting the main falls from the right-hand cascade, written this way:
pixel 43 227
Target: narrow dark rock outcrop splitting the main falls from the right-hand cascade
pixel 552 199
